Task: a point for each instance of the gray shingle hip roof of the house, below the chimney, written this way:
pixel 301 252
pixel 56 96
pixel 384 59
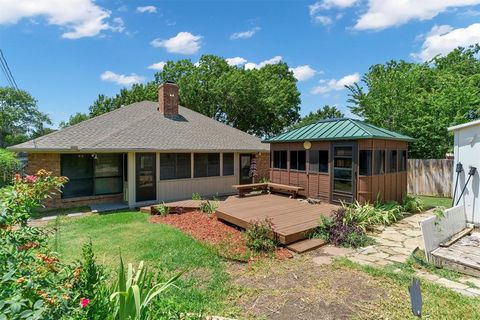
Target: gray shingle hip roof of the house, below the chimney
pixel 141 127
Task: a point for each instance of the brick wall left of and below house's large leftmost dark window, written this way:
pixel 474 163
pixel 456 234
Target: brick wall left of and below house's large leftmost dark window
pixel 51 162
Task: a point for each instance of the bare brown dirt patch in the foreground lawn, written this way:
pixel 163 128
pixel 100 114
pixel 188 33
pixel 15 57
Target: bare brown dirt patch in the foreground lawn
pixel 300 289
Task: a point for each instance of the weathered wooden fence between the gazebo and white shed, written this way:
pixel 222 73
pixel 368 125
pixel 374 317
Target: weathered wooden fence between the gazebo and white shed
pixel 430 177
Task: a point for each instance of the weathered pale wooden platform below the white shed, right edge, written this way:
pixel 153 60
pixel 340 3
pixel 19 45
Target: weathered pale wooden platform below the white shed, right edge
pixel 462 256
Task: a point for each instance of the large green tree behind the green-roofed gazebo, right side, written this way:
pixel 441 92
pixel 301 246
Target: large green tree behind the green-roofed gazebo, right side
pixel 422 99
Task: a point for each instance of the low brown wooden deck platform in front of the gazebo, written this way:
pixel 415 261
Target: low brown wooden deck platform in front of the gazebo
pixel 292 219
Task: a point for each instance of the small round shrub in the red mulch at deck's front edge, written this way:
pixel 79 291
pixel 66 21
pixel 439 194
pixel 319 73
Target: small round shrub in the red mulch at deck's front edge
pixel 260 236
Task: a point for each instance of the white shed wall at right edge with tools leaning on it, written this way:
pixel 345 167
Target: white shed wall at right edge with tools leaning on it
pixel 467 151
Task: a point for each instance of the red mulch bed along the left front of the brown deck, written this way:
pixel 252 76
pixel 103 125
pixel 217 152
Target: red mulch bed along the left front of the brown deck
pixel 208 229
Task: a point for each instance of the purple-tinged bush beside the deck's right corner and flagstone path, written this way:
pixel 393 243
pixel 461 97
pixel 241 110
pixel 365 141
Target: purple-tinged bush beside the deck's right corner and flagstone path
pixel 341 231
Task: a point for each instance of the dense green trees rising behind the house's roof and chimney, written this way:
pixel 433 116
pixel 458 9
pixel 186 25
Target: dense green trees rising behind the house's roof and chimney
pixel 260 101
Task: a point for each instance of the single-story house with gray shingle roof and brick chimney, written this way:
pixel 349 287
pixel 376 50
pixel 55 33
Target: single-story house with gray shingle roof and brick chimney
pixel 146 152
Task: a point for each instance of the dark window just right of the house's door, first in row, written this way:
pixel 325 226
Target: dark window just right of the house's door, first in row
pixel 175 166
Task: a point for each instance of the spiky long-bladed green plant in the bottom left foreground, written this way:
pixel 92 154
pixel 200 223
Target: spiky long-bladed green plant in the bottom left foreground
pixel 135 291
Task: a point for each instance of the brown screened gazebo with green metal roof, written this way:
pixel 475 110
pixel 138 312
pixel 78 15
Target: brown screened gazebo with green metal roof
pixel 342 160
